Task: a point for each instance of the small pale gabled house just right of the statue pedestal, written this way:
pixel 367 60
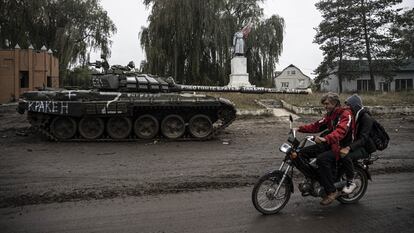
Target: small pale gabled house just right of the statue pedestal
pixel 292 78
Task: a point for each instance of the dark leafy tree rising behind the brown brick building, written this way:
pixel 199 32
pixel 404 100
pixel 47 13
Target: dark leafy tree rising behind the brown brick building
pixel 71 28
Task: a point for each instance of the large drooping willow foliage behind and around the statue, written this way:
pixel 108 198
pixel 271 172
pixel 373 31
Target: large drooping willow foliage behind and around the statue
pixel 191 40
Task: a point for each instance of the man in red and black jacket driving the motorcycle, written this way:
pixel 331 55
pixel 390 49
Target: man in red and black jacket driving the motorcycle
pixel 337 122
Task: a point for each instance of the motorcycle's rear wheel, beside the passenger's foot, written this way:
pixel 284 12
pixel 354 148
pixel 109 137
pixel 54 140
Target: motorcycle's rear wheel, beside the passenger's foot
pixel 361 180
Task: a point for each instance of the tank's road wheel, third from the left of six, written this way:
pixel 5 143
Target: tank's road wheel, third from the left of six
pixel 118 127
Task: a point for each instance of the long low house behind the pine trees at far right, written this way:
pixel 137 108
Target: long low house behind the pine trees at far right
pixel 402 81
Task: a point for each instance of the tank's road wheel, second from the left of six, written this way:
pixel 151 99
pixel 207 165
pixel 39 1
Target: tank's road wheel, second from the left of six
pixel 91 127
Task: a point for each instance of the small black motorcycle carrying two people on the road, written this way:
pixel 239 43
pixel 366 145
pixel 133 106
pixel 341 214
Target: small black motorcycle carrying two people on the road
pixel 272 191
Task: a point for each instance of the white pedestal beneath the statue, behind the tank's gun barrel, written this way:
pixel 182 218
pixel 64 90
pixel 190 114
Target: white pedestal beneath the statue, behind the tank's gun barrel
pixel 239 76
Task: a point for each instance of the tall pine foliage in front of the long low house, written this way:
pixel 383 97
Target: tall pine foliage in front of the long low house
pixel 357 30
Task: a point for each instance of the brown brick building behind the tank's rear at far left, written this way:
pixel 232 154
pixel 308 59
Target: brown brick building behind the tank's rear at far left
pixel 25 70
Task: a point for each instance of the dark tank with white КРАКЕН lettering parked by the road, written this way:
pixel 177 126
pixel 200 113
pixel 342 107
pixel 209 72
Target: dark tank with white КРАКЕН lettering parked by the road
pixel 127 105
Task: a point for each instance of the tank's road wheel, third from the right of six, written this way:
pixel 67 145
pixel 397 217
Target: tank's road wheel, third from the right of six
pixel 146 127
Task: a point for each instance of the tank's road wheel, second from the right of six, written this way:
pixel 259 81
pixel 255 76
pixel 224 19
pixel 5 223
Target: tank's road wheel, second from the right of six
pixel 173 126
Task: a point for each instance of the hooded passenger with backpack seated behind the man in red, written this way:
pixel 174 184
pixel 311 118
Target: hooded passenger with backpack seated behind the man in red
pixel 362 144
